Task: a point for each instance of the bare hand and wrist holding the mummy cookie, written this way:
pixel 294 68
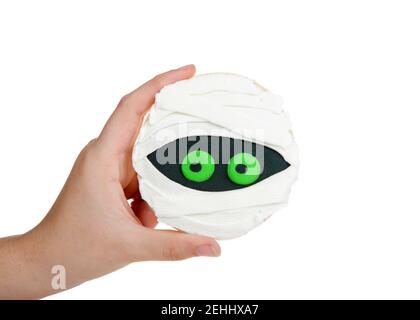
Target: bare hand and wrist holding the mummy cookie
pixel 99 222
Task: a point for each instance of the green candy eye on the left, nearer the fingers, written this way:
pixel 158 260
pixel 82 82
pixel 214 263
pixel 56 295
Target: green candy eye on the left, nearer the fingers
pixel 198 166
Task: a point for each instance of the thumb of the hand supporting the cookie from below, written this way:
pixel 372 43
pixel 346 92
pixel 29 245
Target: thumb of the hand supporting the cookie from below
pixel 174 245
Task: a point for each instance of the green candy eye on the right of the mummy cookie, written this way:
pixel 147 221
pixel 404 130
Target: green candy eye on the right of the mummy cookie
pixel 244 169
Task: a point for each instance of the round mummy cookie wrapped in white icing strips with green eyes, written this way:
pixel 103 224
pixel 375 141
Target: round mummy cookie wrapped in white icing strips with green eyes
pixel 215 155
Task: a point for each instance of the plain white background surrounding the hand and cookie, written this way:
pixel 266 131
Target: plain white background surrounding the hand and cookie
pixel 349 73
